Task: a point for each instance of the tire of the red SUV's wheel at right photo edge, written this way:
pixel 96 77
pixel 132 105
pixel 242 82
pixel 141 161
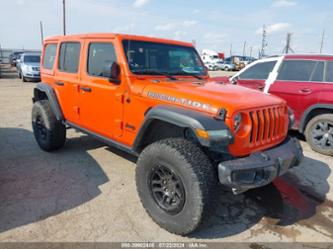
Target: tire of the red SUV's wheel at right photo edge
pixel 309 133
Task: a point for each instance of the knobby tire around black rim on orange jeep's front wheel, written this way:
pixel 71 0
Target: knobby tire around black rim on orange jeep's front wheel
pixel 196 173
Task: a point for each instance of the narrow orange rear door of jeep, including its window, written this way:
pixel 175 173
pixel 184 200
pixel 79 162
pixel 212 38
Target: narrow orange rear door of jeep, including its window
pixel 67 79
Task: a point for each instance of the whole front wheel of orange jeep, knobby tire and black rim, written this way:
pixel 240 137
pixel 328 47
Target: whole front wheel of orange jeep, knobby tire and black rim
pixel 175 182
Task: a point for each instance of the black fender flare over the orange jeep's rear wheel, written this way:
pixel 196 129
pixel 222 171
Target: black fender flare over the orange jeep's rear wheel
pixel 51 96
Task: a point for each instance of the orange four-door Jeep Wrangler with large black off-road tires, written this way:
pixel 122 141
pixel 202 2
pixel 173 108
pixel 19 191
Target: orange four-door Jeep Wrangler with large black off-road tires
pixel 154 98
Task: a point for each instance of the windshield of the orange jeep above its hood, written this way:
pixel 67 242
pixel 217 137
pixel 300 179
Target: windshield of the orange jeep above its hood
pixel 159 58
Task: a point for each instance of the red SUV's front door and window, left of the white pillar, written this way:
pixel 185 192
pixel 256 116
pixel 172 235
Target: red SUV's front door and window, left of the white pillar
pixel 255 76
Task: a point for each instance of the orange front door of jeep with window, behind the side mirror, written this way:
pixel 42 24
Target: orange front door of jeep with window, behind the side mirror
pixel 101 102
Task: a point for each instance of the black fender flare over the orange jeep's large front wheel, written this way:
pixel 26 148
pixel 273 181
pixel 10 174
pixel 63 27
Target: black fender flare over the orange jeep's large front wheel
pixel 219 133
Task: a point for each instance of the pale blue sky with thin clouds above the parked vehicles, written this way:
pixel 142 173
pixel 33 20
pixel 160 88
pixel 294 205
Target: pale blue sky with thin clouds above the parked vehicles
pixel 212 24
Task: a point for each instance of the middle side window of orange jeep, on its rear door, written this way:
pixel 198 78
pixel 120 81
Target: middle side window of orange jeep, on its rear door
pixel 69 57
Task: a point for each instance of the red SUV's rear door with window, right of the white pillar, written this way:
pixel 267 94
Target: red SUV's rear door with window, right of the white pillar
pixel 299 82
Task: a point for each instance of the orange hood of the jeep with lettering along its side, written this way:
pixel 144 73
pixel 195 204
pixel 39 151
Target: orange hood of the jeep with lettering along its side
pixel 209 96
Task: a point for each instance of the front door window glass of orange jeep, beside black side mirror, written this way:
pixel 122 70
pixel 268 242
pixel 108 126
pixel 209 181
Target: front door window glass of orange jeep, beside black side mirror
pixel 100 56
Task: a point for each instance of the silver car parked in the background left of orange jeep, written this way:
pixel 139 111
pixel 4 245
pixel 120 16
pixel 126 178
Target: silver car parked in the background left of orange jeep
pixel 29 67
